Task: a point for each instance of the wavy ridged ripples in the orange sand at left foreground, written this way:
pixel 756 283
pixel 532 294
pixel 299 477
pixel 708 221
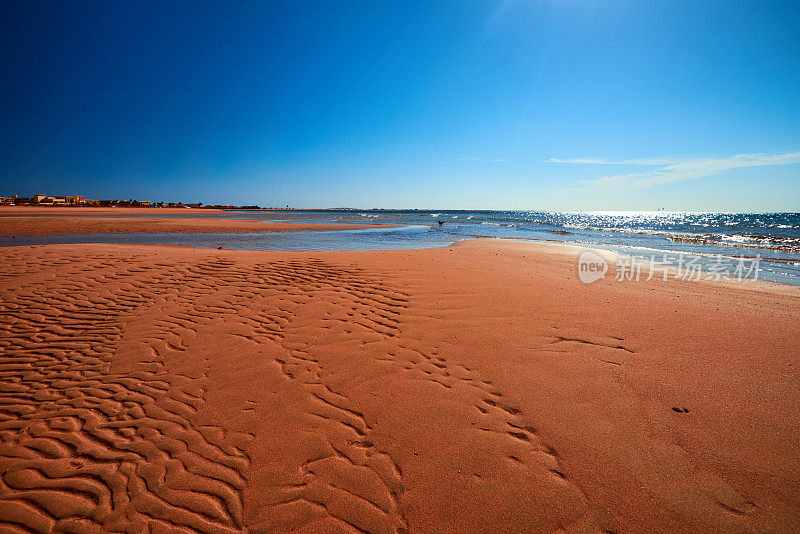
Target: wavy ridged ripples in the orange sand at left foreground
pixel 87 447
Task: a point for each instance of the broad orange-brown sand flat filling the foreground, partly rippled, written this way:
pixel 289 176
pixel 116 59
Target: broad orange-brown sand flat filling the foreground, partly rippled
pixel 479 387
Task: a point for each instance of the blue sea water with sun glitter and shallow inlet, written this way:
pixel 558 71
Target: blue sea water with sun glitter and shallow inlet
pixel 774 238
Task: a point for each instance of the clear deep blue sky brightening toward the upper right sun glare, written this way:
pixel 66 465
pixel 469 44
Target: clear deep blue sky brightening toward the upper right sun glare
pixel 501 104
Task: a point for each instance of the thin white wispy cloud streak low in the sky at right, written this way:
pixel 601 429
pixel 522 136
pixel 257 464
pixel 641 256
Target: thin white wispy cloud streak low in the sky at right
pixel 671 171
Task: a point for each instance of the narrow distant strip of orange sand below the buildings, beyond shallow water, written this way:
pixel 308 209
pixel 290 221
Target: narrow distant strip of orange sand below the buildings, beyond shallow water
pixel 20 221
